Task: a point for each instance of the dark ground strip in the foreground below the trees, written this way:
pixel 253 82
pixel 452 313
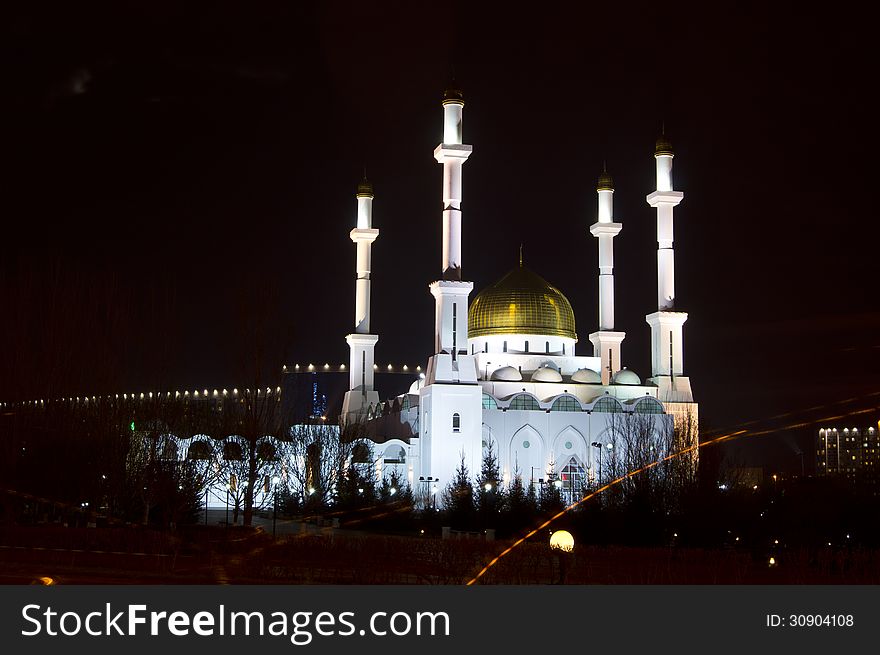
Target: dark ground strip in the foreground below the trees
pixel 305 553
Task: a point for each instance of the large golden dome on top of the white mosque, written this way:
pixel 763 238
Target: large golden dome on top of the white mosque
pixel 521 302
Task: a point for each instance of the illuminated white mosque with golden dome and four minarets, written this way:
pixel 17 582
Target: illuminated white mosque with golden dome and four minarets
pixel 505 372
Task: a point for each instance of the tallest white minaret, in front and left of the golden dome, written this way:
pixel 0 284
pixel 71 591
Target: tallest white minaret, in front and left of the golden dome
pixel 450 292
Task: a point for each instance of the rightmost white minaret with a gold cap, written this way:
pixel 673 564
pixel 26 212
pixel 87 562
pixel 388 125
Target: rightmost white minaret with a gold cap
pixel 666 324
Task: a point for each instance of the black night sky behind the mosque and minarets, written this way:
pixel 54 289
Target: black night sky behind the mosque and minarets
pixel 176 173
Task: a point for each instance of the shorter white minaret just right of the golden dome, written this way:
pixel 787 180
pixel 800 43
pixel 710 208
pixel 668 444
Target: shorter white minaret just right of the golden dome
pixel 606 342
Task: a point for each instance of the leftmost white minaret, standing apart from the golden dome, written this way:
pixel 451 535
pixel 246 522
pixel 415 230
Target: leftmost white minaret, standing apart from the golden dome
pixel 361 343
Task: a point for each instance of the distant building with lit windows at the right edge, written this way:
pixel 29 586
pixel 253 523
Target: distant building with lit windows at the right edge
pixel 852 453
